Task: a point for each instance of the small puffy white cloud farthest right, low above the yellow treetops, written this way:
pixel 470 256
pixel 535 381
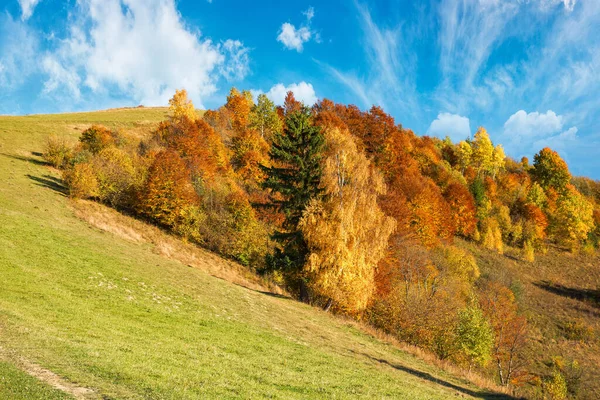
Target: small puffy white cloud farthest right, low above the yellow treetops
pixel 531 125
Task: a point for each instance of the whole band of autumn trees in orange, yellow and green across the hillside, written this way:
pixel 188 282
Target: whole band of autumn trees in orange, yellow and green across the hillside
pixel 350 211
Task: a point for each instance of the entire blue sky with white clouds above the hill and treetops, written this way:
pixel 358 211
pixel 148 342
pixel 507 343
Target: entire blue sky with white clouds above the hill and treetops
pixel 527 70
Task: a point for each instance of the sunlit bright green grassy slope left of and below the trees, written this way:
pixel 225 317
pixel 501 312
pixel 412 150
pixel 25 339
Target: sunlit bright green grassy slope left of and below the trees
pixel 114 316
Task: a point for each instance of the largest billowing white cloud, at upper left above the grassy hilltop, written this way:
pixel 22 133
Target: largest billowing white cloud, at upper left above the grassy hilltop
pixel 141 50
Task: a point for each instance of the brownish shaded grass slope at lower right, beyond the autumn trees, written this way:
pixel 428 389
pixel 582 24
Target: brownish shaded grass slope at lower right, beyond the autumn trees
pixel 560 294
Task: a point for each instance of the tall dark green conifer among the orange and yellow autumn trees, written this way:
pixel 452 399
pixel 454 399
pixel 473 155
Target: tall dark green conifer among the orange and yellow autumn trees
pixel 294 179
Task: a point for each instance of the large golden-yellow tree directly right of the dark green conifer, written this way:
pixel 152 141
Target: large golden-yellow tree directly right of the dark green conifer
pixel 346 232
